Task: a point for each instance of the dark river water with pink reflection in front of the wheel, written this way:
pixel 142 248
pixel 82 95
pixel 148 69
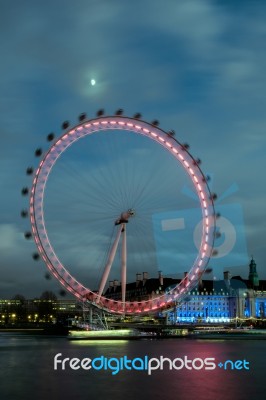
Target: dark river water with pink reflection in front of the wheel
pixel 27 369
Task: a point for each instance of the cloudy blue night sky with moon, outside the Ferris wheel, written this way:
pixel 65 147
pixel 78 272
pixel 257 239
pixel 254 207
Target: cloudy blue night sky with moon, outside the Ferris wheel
pixel 196 66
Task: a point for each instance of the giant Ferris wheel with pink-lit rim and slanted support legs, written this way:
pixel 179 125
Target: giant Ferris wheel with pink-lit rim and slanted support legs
pixel 91 205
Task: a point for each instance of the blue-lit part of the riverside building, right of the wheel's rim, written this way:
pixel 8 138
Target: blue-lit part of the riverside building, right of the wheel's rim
pixel 223 301
